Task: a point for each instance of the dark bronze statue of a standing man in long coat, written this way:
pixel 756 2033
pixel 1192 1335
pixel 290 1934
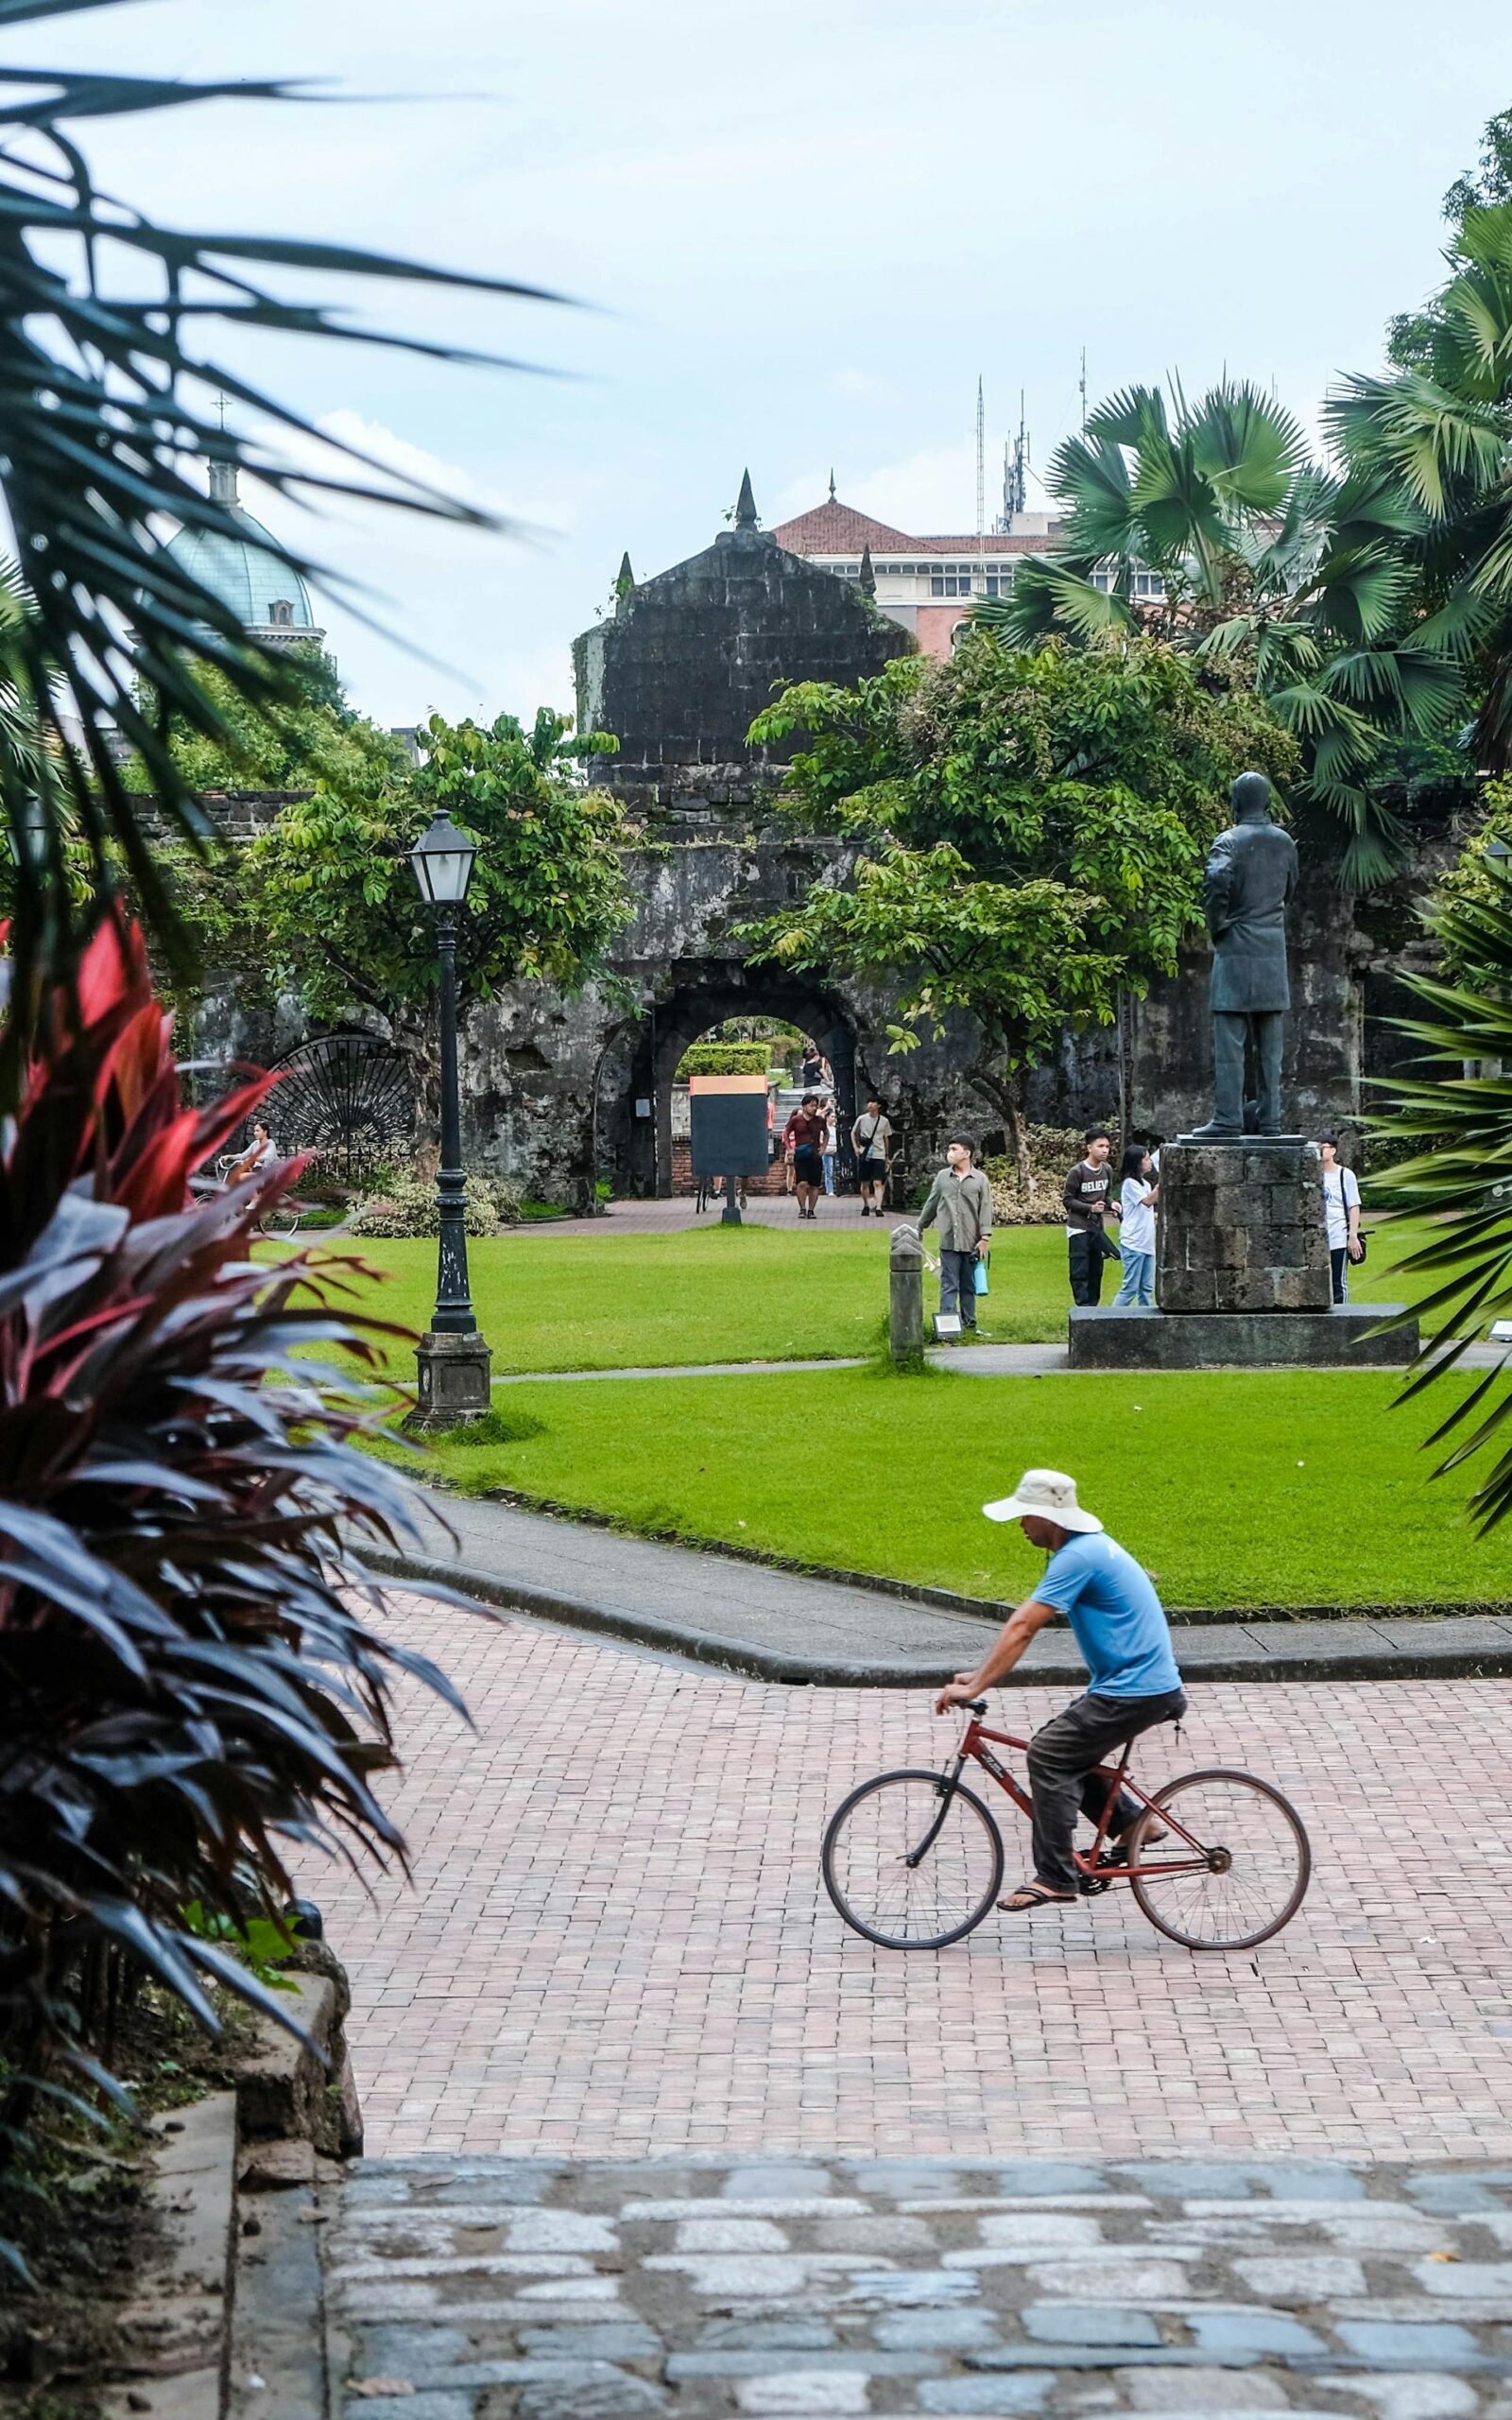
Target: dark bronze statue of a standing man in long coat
pixel 1250 880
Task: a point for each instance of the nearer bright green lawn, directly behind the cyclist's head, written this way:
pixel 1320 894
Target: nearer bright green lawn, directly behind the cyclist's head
pixel 1235 1490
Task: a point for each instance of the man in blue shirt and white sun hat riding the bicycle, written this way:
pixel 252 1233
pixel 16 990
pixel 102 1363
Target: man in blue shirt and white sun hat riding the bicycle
pixel 1121 1627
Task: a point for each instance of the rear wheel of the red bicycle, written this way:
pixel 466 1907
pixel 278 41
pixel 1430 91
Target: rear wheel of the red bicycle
pixel 1242 1882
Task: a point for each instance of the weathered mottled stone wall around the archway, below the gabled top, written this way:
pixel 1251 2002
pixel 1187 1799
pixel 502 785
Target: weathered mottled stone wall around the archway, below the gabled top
pixel 553 1088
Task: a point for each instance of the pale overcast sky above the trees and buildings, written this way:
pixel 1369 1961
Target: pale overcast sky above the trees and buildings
pixel 800 231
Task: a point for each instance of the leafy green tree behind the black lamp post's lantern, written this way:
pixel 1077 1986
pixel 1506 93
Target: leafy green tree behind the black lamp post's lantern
pixel 337 909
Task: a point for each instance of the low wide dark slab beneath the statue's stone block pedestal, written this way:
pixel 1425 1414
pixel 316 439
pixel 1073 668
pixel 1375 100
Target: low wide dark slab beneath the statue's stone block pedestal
pixel 1346 1337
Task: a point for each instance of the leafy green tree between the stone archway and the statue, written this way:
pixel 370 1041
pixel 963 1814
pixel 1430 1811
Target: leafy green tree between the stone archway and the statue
pixel 1029 831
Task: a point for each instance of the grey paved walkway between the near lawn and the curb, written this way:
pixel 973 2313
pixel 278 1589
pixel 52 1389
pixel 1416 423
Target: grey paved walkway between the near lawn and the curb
pixel 787 1625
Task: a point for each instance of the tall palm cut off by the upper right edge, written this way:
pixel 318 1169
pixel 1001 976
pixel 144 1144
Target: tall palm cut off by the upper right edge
pixel 1438 434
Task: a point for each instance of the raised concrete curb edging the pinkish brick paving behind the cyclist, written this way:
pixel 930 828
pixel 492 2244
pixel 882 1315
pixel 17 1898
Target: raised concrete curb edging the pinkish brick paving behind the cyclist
pixel 1269 1652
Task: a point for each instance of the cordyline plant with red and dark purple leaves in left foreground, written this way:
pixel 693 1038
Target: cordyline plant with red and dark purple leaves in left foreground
pixel 187 1664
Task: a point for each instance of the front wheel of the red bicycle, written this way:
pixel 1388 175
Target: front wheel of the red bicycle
pixel 911 1867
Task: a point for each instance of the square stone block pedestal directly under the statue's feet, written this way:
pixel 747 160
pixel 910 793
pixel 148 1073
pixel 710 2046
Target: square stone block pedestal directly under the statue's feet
pixel 1242 1228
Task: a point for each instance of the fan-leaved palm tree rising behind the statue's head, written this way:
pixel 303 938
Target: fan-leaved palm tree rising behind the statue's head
pixel 1262 563
